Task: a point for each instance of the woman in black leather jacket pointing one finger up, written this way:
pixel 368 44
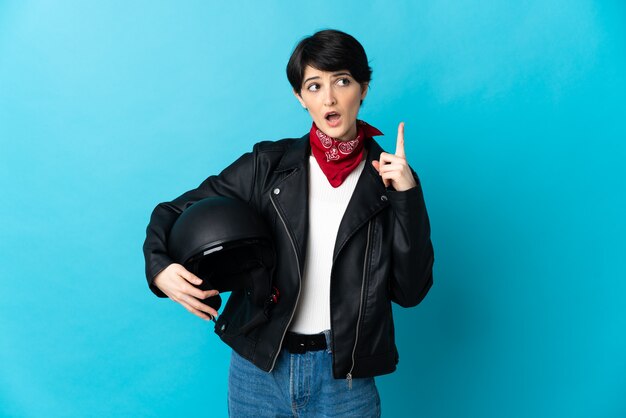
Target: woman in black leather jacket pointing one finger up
pixel 351 235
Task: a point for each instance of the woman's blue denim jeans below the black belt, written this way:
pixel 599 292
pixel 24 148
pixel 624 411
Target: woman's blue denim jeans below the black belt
pixel 301 385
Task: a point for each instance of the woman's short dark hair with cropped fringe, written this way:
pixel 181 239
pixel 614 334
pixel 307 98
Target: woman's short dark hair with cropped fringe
pixel 328 50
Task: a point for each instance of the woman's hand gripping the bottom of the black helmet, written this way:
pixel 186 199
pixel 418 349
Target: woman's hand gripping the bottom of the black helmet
pixel 177 283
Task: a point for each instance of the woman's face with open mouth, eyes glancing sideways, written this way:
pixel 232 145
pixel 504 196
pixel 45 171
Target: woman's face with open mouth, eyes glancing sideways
pixel 333 100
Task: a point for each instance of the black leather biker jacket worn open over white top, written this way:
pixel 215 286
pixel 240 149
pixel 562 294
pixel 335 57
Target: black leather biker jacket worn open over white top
pixel 383 253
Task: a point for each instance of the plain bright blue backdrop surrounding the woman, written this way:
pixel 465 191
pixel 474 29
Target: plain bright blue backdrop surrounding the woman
pixel 514 120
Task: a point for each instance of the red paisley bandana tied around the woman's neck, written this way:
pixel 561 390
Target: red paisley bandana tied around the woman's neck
pixel 337 158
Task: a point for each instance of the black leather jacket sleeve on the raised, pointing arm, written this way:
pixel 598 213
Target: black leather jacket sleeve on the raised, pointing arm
pixel 412 256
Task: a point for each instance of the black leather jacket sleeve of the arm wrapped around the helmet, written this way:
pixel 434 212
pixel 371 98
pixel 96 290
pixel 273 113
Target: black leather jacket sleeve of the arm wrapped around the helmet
pixel 235 181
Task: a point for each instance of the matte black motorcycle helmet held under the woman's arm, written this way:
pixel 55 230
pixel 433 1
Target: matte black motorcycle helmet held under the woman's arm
pixel 227 244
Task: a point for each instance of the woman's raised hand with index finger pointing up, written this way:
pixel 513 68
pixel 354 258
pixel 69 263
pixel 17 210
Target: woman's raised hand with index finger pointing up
pixel 393 168
